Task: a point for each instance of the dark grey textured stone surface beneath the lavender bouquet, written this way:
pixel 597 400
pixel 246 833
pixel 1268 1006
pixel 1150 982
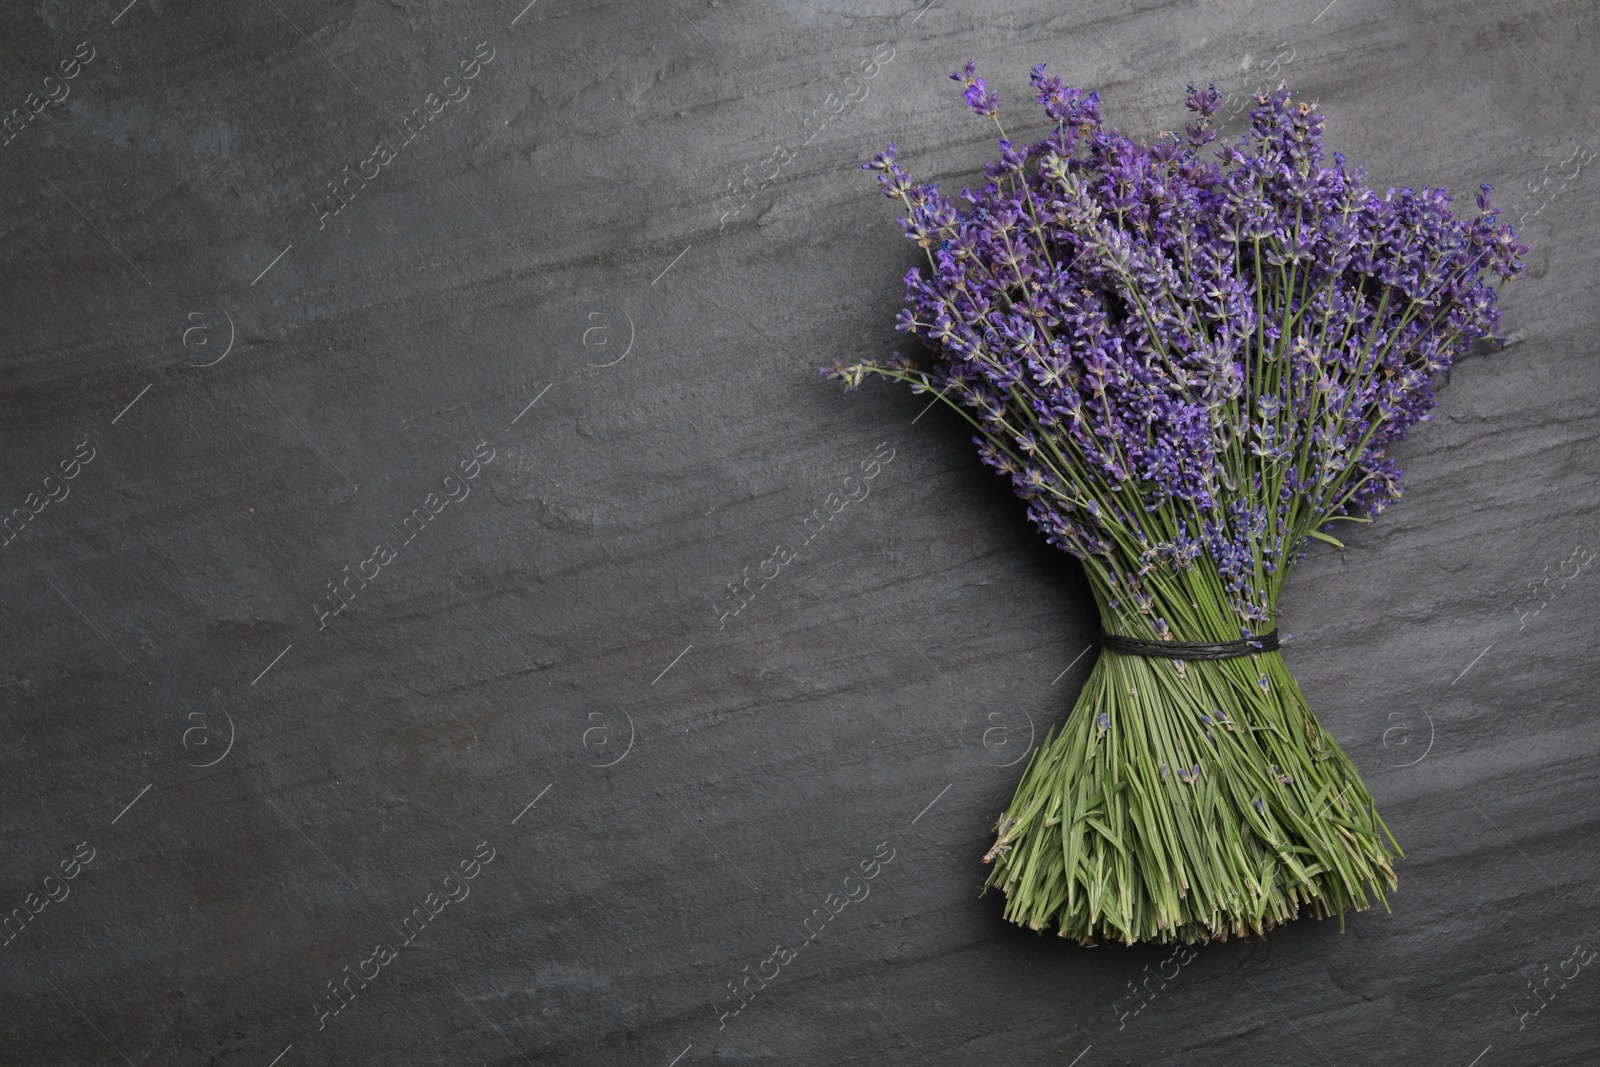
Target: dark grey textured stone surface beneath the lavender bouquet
pixel 266 801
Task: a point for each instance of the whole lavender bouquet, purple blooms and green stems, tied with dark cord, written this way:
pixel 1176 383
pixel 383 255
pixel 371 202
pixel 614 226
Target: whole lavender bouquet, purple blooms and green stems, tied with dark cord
pixel 1190 370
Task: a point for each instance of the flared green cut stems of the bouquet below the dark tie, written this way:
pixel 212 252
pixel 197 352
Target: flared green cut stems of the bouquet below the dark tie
pixel 1186 801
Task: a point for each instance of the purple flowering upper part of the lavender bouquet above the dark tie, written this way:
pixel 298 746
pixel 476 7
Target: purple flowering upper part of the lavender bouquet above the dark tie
pixel 1177 359
